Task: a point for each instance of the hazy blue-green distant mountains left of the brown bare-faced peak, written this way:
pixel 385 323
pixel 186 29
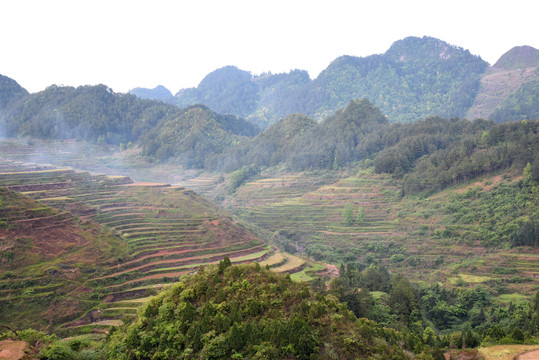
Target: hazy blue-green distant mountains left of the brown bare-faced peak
pixel 415 78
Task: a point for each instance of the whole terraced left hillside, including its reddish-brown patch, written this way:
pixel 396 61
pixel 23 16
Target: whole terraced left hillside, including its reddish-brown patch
pixel 108 243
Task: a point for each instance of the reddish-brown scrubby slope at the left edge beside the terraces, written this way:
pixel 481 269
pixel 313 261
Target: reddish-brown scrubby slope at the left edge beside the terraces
pixel 46 256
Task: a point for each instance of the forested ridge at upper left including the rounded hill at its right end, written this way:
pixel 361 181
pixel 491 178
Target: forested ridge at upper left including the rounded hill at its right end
pixel 97 114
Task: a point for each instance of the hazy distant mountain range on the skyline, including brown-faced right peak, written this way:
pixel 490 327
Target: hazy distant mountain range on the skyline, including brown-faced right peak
pixel 415 78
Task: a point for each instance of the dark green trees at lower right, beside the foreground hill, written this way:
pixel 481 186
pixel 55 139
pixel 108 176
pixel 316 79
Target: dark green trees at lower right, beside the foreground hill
pixel 436 314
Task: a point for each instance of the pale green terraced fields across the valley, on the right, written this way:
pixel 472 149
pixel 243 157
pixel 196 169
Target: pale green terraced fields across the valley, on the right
pixel 304 214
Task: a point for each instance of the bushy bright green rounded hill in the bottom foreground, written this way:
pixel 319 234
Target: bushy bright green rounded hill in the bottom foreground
pixel 242 312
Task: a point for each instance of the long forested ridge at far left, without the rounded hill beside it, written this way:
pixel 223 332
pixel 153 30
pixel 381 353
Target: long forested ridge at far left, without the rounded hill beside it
pixel 92 113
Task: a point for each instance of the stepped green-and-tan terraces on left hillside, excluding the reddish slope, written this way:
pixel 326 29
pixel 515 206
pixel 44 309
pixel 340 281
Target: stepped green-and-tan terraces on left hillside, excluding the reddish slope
pixel 166 231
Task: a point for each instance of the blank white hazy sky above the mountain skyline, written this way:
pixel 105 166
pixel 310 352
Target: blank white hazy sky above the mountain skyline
pixel 126 44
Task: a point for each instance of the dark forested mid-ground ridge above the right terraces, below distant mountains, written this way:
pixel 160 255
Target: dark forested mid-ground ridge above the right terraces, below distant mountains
pixel 426 156
